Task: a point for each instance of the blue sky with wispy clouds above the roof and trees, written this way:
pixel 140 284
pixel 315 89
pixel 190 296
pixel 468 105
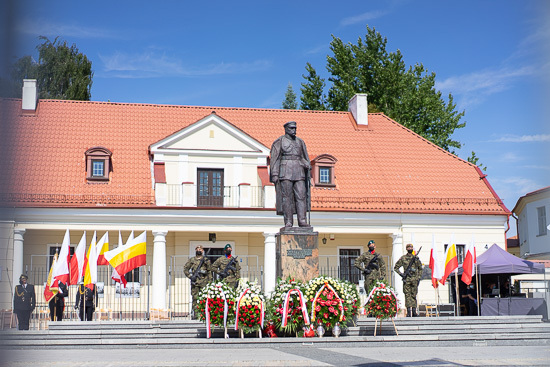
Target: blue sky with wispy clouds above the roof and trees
pixel 493 56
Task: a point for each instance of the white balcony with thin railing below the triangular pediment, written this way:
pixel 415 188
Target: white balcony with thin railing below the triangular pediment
pixel 242 196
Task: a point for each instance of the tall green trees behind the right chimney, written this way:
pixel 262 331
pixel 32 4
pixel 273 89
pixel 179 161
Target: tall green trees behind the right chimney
pixel 407 95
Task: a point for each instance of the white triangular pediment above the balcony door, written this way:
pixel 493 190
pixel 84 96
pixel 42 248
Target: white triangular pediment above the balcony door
pixel 211 135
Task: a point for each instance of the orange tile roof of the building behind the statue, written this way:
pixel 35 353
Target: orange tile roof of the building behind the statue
pixel 383 167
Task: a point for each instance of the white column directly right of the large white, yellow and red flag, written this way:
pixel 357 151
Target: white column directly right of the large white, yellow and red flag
pixel 159 269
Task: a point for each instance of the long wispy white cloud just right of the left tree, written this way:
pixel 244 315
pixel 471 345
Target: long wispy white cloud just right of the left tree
pixel 153 64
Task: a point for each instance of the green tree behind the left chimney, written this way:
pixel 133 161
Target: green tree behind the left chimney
pixel 62 72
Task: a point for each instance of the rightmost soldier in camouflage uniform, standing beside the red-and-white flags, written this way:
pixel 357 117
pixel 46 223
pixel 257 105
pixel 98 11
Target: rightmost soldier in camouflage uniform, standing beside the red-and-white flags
pixel 410 283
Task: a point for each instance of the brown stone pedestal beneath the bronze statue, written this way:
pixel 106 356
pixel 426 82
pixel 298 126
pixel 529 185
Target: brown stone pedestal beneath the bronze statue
pixel 297 253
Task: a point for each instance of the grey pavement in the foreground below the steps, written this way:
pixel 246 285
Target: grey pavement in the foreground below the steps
pixel 285 355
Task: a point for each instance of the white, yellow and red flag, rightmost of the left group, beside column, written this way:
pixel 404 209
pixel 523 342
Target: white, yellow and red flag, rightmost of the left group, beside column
pixel 130 256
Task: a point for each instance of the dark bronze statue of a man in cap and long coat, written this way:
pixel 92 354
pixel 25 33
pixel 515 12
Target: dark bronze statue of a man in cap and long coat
pixel 289 171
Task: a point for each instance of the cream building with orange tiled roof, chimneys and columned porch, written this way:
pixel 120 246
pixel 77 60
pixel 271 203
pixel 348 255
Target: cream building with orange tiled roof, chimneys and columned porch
pixel 190 175
